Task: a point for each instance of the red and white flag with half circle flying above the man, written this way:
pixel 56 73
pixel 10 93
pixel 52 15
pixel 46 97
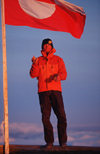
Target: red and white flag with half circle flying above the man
pixel 55 15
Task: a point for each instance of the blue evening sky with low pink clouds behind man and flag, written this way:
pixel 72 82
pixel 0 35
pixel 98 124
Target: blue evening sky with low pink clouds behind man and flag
pixel 81 90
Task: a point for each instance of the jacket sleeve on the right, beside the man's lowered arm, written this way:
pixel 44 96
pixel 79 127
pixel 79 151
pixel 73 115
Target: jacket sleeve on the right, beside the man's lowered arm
pixel 62 70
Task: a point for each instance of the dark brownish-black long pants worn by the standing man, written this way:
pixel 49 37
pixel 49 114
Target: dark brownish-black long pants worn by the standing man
pixel 53 99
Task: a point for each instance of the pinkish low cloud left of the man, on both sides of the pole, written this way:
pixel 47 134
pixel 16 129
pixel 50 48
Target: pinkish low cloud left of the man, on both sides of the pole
pixel 22 131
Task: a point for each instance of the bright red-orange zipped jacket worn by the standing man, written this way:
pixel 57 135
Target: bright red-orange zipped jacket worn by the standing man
pixel 46 68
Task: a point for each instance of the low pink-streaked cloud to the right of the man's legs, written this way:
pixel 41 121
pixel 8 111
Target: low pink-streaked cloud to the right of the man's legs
pixel 84 137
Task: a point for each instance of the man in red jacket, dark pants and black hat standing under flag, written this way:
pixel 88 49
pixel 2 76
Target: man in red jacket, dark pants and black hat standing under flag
pixel 50 70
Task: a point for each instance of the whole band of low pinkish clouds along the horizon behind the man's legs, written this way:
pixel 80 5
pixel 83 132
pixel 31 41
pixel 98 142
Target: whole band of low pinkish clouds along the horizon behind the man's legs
pixel 30 133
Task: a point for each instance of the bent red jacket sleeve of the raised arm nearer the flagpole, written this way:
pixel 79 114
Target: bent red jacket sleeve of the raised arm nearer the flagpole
pixel 34 71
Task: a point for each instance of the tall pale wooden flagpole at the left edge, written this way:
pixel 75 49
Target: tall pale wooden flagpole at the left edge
pixel 5 87
